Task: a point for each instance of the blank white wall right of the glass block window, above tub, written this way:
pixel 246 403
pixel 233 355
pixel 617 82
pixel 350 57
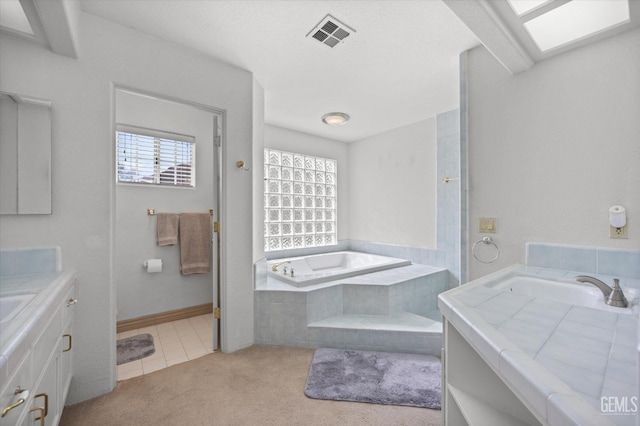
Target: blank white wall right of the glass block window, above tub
pixel 392 186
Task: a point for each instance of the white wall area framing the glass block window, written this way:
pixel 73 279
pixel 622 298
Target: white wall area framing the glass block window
pixel 293 141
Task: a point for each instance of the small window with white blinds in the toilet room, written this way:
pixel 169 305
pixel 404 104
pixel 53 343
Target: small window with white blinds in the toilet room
pixel 152 157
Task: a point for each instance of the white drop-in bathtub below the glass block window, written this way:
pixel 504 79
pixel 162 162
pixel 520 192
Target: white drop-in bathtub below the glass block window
pixel 315 269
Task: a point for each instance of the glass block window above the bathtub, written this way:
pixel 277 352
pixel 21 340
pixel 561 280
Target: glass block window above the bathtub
pixel 299 201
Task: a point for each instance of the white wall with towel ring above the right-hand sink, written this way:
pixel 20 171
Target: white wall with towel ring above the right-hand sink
pixel 552 148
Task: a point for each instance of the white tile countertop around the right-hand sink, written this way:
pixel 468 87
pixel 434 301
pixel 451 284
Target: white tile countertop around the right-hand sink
pixel 561 358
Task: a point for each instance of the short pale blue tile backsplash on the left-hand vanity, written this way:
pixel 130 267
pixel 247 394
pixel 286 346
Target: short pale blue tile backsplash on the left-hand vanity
pixel 29 261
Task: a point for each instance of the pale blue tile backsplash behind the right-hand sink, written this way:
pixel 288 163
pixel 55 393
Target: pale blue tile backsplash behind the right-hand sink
pixel 593 260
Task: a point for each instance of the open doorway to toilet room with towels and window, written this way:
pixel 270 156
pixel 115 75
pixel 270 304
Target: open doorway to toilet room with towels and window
pixel 175 309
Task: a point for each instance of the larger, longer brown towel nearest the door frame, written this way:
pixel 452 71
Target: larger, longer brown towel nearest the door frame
pixel 195 243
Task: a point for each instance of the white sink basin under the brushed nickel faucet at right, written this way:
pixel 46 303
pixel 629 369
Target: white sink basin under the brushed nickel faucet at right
pixel 564 292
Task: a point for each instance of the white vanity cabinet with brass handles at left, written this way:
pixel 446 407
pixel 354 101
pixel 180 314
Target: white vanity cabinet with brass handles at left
pixel 46 368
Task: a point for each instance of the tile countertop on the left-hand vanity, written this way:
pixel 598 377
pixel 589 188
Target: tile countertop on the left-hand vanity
pixel 17 336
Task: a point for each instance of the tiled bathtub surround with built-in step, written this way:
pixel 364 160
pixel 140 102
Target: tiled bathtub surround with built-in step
pixel 385 311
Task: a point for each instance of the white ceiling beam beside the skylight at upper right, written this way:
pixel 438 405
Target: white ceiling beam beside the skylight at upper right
pixel 480 18
